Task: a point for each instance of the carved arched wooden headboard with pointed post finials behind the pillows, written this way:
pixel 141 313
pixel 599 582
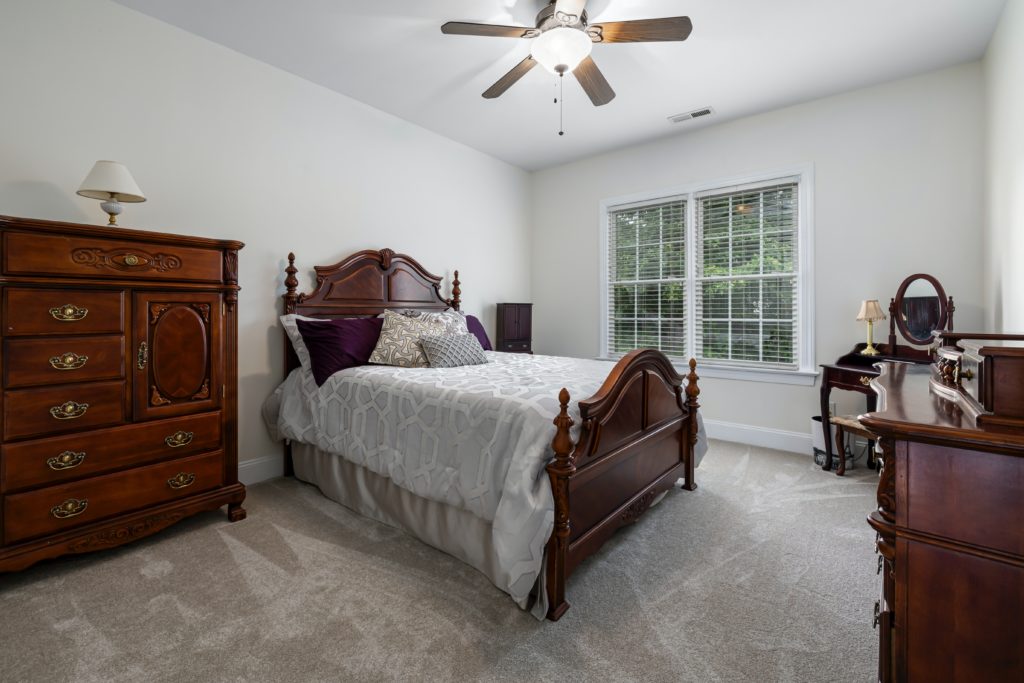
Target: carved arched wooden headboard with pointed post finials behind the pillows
pixel 369 283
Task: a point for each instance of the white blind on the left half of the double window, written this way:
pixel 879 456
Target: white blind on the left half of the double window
pixel 648 279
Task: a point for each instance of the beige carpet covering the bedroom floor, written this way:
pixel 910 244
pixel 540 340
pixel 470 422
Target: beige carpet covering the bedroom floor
pixel 764 574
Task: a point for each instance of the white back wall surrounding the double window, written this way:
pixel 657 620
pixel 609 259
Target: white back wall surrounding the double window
pixel 899 190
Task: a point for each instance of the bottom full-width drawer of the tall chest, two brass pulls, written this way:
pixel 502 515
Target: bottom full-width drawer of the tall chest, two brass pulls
pixel 67 506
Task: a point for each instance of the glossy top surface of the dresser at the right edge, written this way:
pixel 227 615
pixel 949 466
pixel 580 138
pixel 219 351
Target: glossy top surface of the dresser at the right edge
pixel 910 408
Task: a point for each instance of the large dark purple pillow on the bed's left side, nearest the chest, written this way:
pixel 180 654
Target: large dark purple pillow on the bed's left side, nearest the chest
pixel 335 346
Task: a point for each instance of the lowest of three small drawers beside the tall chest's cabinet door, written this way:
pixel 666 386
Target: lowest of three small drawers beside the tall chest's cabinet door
pixel 65 408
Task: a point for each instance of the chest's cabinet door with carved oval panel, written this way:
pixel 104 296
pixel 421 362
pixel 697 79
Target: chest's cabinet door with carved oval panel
pixel 178 354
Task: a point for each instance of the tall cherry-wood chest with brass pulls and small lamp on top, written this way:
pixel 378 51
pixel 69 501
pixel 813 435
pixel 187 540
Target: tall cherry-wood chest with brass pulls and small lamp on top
pixel 119 403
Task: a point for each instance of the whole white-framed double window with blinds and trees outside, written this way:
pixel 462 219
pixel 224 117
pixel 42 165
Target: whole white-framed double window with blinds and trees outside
pixel 716 273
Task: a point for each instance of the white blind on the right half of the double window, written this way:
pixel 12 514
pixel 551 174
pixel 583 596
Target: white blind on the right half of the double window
pixel 746 285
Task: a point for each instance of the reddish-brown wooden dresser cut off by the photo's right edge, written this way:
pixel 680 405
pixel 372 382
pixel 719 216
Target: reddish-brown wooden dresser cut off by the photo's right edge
pixel 951 516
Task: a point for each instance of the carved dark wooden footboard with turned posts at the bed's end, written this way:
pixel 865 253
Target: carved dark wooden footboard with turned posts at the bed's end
pixel 637 439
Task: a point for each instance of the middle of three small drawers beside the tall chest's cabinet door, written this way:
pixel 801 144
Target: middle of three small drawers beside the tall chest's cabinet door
pixel 62 360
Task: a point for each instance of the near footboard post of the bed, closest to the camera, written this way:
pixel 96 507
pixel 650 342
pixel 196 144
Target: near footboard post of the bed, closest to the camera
pixel 560 472
